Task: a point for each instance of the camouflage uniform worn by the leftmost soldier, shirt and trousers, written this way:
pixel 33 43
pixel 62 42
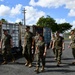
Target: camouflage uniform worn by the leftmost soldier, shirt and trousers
pixel 7 47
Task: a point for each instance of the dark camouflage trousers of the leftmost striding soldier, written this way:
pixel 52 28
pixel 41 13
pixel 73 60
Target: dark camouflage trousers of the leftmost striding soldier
pixel 7 51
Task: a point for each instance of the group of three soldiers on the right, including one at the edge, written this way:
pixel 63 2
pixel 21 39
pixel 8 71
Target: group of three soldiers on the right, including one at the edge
pixel 57 45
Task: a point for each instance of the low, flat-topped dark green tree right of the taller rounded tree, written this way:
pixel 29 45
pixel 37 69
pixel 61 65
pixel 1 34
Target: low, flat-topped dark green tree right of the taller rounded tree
pixel 64 27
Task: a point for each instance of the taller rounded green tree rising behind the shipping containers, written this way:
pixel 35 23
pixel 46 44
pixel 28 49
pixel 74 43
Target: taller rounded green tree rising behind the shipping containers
pixel 47 22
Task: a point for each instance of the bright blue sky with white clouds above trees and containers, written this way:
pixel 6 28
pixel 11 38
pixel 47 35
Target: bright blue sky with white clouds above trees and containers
pixel 61 10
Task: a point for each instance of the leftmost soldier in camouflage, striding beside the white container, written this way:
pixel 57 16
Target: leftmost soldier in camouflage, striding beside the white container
pixel 7 42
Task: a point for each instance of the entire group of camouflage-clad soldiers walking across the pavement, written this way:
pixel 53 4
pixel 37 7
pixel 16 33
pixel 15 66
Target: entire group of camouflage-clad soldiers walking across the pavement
pixel 35 45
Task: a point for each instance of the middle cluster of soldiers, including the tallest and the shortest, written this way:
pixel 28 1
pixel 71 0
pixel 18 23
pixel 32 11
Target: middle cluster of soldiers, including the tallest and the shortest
pixel 34 45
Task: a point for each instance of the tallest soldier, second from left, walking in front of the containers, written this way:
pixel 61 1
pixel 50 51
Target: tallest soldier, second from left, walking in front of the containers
pixel 28 43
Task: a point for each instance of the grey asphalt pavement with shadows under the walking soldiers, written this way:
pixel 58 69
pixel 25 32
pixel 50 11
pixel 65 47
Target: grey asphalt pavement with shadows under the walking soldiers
pixel 18 68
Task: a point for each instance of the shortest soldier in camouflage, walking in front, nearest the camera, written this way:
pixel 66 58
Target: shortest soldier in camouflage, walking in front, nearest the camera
pixel 40 53
